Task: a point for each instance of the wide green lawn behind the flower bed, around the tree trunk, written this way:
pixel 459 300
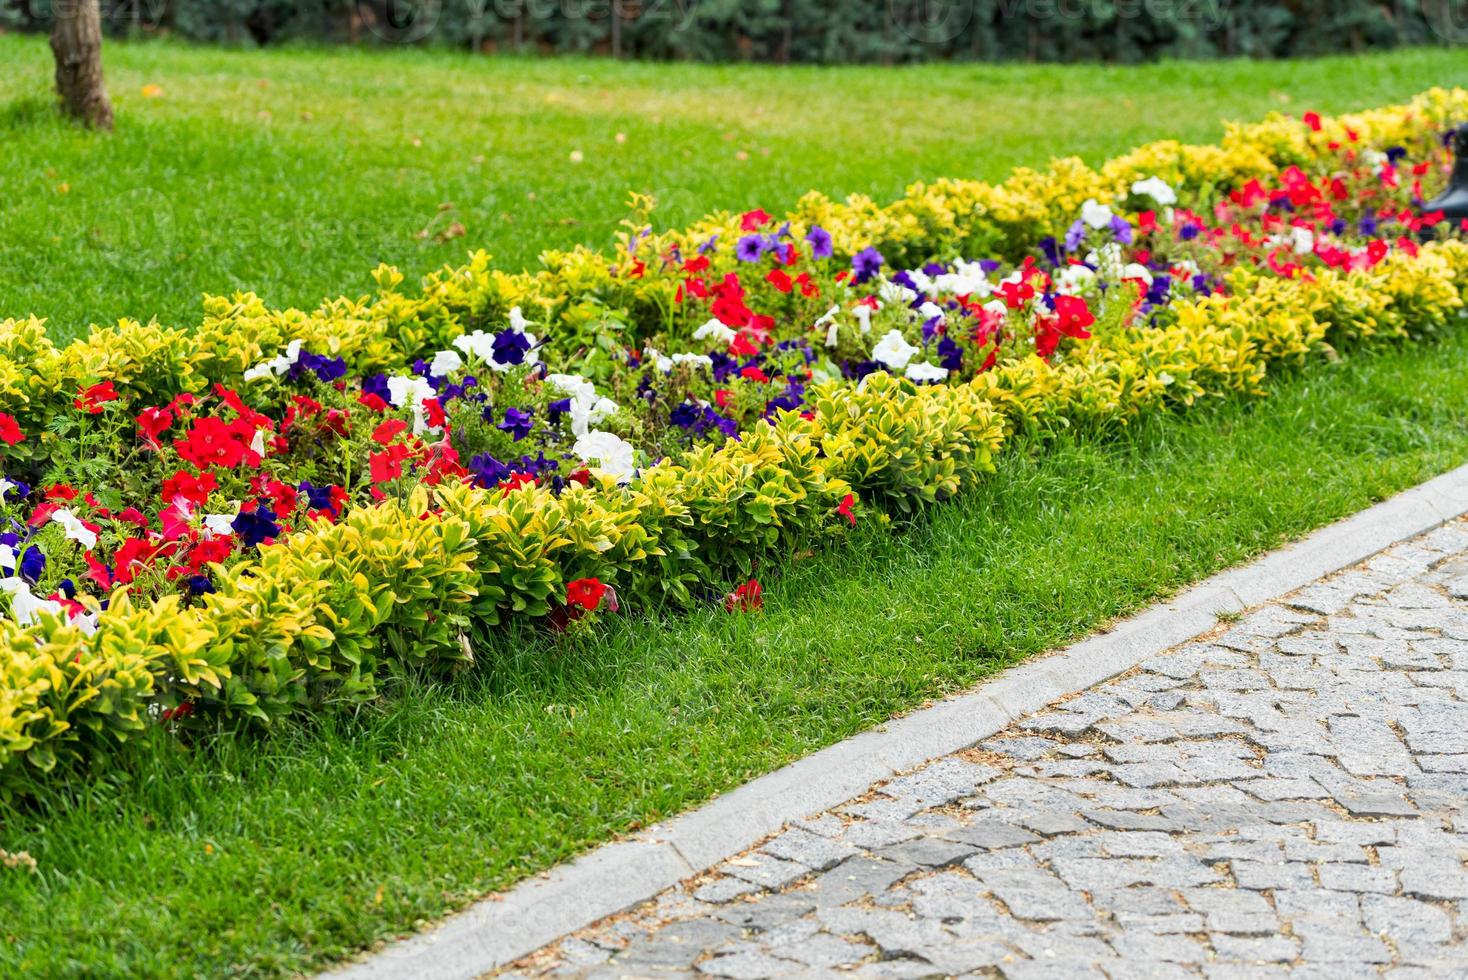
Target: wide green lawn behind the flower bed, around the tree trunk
pixel 294 172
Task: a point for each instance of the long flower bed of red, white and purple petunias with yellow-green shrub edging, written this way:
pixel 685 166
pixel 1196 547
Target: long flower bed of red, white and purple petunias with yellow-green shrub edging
pixel 272 513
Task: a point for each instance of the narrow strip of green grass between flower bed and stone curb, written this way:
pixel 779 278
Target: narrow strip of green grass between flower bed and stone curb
pixel 278 856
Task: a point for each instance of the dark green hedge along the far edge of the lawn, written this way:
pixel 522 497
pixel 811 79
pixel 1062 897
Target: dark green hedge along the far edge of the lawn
pixel 807 30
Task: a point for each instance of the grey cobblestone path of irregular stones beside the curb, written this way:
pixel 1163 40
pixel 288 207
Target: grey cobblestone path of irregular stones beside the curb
pixel 1288 797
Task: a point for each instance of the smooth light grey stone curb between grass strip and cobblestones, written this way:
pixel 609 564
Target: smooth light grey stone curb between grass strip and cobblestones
pixel 506 926
